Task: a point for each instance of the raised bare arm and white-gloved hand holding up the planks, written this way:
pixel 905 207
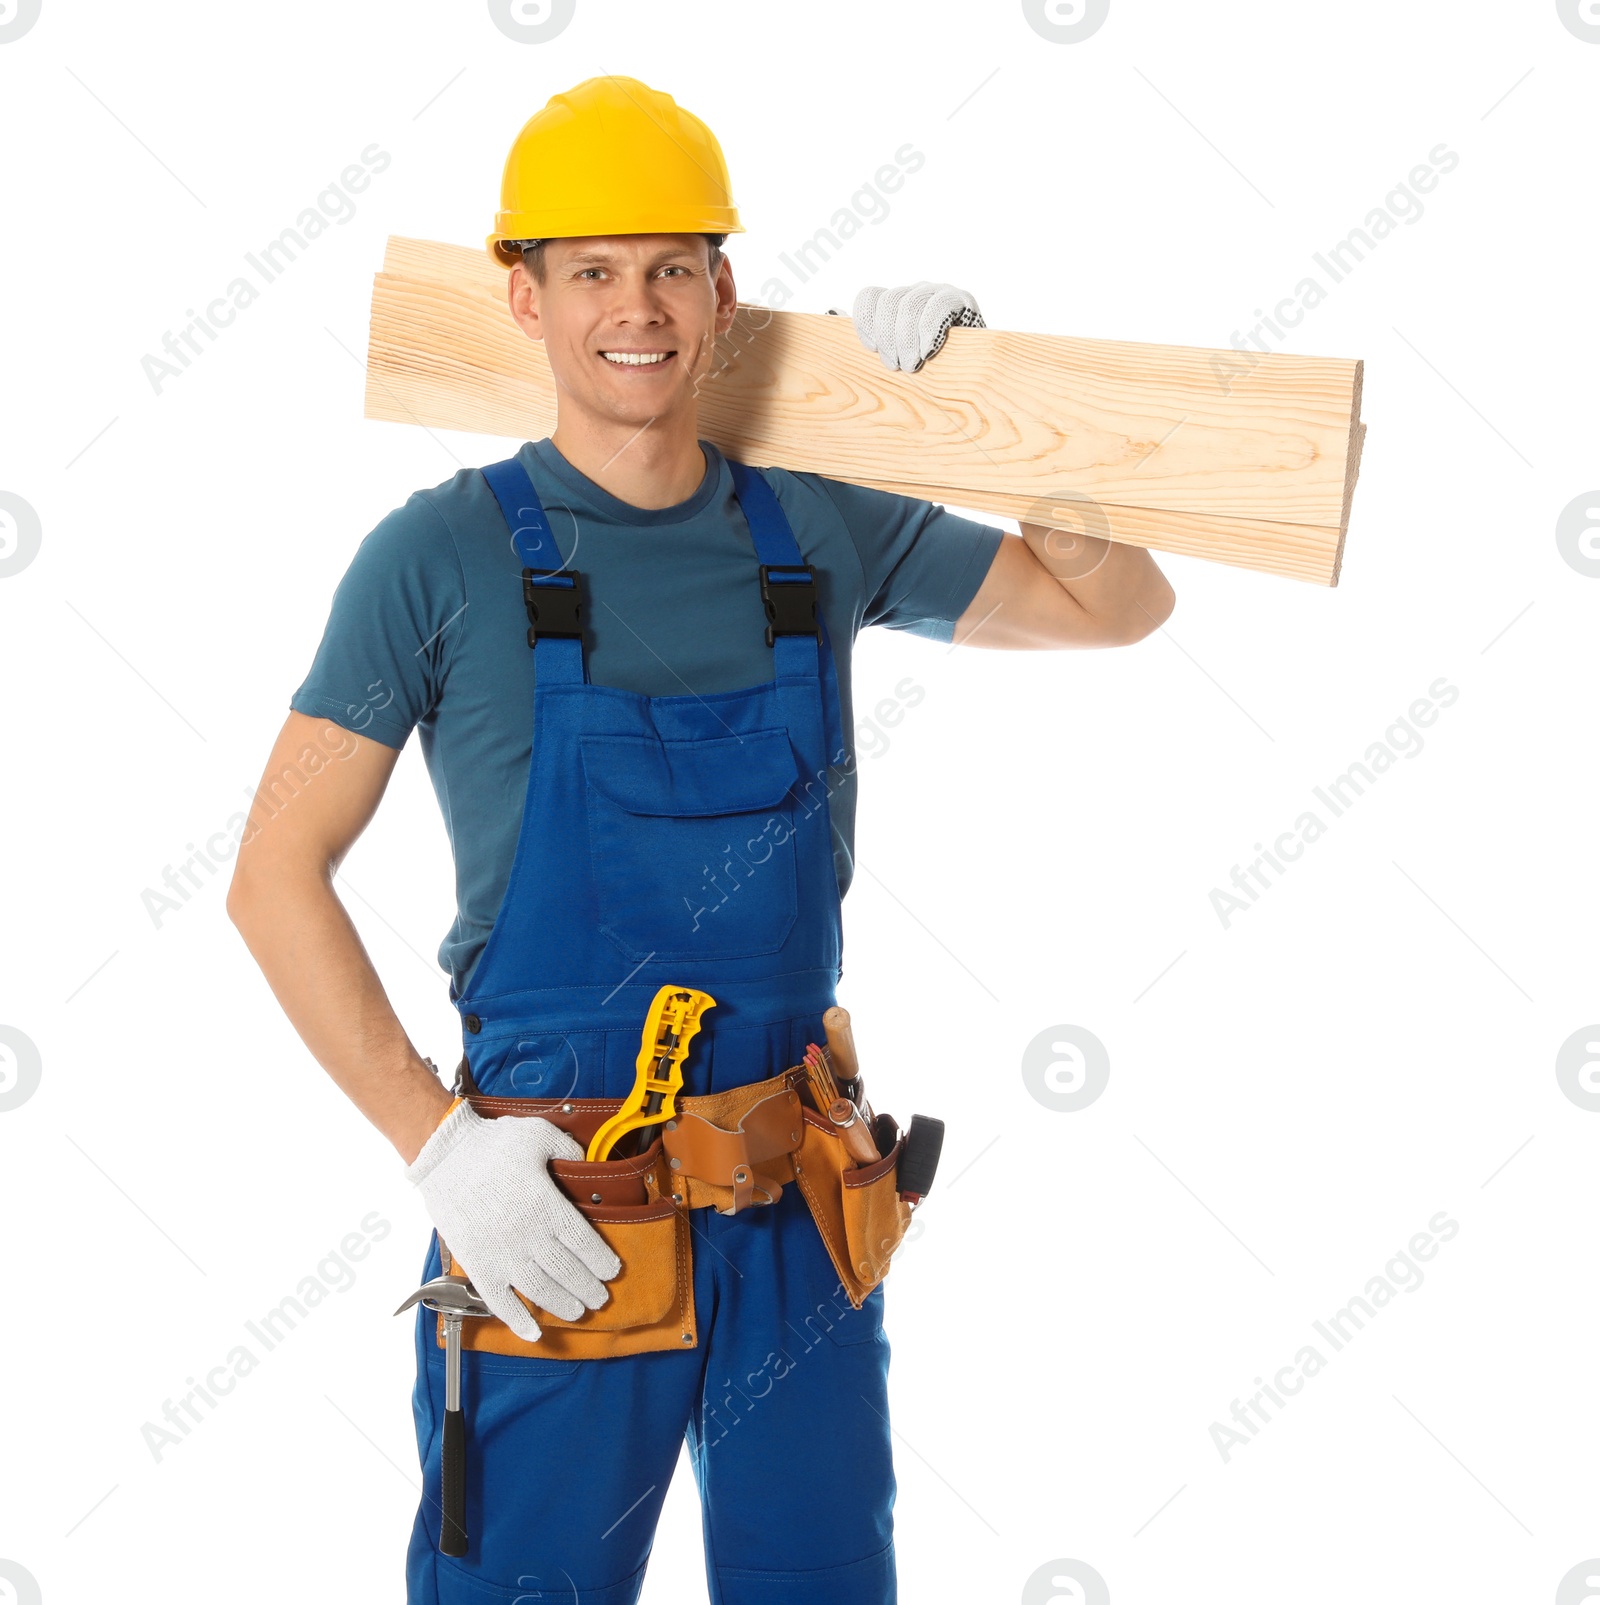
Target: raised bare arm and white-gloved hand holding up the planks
pixel 1046 588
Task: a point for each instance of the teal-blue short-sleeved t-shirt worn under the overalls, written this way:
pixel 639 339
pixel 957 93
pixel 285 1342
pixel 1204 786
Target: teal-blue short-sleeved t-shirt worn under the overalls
pixel 429 630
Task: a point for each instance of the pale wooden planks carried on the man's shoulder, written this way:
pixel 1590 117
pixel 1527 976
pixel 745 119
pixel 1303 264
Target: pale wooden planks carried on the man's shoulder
pixel 1177 447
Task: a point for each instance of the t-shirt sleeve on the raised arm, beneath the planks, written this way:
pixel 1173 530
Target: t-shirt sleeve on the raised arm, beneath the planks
pixel 924 564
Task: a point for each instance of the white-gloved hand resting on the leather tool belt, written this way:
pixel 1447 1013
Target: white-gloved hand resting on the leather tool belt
pixel 490 1193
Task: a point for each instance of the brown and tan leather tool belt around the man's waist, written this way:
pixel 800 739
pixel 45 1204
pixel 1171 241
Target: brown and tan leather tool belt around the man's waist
pixel 728 1152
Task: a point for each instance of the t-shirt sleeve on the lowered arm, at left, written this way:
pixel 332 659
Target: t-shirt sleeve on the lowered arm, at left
pixel 389 640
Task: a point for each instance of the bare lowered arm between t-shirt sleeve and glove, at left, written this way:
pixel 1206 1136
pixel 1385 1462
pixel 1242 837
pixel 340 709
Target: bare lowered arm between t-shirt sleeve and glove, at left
pixel 298 930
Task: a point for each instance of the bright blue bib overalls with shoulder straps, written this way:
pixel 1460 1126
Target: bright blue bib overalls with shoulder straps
pixel 678 840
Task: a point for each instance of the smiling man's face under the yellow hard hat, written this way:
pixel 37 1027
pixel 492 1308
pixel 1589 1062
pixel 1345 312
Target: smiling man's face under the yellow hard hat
pixel 628 322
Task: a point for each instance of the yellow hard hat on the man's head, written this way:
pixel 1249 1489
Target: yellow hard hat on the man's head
pixel 612 156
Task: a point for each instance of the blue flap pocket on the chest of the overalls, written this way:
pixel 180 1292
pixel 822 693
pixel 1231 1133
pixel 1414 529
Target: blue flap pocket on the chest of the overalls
pixel 692 843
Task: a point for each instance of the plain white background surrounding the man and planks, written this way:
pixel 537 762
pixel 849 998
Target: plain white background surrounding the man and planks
pixel 1291 1099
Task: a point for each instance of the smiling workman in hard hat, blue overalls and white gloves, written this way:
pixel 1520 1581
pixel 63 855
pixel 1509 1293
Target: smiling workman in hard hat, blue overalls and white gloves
pixel 659 792
